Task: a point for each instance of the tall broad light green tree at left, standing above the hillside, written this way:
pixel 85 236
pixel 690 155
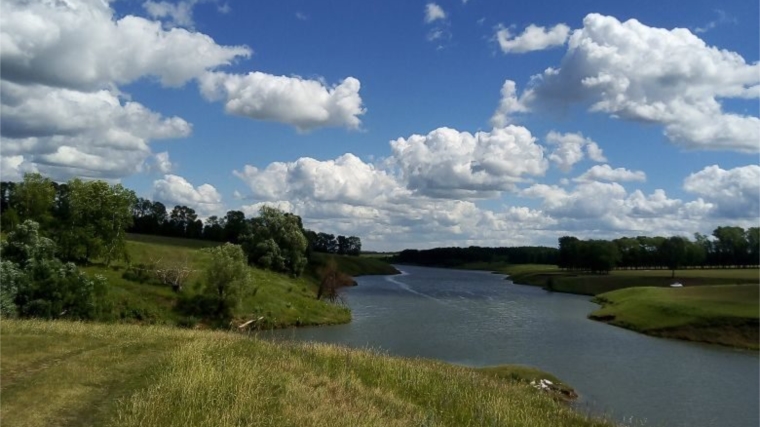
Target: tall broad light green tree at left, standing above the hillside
pixel 103 213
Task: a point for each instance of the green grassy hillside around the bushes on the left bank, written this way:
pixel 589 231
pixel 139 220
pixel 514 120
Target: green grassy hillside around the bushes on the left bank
pixel 276 300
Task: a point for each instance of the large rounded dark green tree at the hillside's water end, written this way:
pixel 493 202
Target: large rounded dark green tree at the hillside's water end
pixel 276 241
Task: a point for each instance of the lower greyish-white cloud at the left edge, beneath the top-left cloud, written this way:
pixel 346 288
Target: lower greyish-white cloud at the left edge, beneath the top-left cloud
pixel 64 133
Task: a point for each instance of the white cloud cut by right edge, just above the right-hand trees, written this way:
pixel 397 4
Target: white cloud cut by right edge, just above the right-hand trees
pixel 735 192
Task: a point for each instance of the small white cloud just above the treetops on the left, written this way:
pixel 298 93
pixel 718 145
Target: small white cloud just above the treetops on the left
pixel 175 190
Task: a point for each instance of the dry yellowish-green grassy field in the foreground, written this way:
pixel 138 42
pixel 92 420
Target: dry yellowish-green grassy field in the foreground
pixel 77 374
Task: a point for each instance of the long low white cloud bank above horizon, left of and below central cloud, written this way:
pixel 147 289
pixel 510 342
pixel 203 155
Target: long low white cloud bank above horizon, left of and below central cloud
pixel 349 196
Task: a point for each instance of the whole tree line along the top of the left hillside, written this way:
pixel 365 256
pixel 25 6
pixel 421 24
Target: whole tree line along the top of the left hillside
pixel 87 219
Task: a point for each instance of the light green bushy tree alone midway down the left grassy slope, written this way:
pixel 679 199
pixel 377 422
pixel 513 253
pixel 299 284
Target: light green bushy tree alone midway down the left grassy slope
pixel 227 278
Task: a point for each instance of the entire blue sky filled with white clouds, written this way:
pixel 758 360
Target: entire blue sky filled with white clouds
pixel 410 124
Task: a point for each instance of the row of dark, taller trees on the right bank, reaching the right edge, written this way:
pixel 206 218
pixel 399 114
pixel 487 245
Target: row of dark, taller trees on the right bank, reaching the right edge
pixel 728 246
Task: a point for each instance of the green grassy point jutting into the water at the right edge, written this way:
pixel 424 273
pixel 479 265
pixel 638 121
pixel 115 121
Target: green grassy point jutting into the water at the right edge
pixel 727 315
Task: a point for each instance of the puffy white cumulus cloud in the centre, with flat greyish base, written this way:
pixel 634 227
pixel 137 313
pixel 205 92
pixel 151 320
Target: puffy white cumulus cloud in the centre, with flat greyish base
pixel 450 163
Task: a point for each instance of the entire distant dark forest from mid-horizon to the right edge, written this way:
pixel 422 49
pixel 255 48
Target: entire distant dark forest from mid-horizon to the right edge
pixel 727 247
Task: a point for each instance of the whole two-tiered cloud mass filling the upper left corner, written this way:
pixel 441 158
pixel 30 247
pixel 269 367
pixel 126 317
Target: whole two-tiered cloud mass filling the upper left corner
pixel 61 63
